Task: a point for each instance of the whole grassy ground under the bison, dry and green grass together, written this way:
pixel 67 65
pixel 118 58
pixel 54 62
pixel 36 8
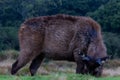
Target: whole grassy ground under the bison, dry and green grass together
pixel 53 70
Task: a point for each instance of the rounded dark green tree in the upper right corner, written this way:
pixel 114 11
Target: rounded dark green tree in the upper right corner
pixel 108 16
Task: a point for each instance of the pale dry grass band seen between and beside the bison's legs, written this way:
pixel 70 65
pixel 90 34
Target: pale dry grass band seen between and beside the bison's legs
pixel 53 67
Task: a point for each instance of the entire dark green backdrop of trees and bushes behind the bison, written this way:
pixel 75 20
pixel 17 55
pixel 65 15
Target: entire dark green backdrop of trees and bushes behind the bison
pixel 14 12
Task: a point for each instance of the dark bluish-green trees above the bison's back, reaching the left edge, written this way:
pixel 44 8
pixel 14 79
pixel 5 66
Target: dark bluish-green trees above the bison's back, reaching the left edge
pixel 14 12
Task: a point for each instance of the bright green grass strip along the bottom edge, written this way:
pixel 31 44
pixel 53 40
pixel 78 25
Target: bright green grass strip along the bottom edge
pixel 57 77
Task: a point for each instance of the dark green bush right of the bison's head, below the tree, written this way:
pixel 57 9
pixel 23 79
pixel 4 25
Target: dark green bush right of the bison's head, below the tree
pixel 112 42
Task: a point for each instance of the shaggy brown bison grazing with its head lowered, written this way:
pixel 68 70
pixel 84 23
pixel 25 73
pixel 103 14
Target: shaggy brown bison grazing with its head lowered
pixel 61 37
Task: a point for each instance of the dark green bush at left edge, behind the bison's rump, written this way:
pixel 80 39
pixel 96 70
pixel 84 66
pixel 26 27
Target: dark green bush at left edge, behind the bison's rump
pixel 8 38
